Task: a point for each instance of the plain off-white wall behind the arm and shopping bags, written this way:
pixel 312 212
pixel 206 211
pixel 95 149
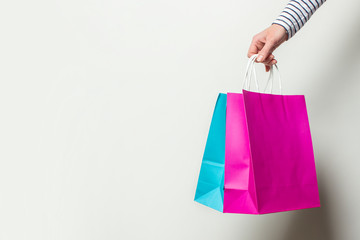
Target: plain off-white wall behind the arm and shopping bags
pixel 105 107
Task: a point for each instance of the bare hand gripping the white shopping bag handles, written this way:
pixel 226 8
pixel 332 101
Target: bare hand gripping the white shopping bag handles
pixel 265 42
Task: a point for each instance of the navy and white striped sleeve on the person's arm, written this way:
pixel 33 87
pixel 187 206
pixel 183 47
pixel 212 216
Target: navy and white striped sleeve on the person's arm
pixel 296 14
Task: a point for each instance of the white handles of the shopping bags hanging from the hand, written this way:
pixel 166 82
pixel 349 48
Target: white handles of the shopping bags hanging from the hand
pixel 251 68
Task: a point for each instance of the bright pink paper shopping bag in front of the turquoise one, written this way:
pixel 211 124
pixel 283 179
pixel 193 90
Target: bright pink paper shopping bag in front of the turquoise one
pixel 269 160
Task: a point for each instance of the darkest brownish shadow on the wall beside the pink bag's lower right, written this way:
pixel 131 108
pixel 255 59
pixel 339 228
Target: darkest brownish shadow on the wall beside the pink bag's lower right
pixel 313 223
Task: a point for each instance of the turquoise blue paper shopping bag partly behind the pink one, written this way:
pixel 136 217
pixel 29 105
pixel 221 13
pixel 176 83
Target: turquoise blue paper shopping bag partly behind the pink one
pixel 210 188
